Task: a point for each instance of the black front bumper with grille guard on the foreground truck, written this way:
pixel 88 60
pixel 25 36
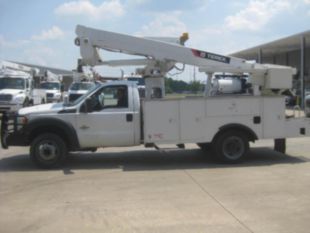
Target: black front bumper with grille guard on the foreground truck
pixel 12 133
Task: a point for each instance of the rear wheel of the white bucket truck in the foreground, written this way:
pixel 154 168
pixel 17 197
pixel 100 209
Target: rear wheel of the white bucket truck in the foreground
pixel 231 146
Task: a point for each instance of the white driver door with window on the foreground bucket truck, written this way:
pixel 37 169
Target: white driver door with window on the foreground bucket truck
pixel 105 123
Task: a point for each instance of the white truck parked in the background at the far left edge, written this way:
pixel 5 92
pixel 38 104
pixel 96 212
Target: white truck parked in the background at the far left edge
pixel 17 87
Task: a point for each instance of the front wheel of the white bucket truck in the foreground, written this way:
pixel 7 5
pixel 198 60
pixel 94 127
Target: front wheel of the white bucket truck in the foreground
pixel 48 150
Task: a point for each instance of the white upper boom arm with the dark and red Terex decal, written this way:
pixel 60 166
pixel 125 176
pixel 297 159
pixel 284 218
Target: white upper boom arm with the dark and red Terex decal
pixel 90 39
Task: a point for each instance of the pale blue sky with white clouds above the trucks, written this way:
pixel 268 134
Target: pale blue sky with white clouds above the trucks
pixel 42 32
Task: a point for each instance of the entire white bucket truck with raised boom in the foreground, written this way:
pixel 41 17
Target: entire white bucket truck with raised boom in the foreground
pixel 112 114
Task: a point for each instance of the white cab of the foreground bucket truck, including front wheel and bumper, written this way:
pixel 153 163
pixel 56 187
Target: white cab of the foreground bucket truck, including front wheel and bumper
pixel 108 115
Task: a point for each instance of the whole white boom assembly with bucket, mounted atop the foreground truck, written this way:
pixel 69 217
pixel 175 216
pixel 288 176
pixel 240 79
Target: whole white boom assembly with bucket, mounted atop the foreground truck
pixel 162 56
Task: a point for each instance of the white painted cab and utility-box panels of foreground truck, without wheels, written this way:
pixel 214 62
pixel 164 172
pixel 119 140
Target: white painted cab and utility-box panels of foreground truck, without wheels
pixel 174 121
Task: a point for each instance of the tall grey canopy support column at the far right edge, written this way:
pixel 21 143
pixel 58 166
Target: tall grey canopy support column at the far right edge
pixel 302 70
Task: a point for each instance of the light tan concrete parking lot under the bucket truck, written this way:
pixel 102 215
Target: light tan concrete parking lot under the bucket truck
pixel 144 190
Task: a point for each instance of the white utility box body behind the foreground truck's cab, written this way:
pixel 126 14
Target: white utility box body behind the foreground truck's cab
pixel 193 120
